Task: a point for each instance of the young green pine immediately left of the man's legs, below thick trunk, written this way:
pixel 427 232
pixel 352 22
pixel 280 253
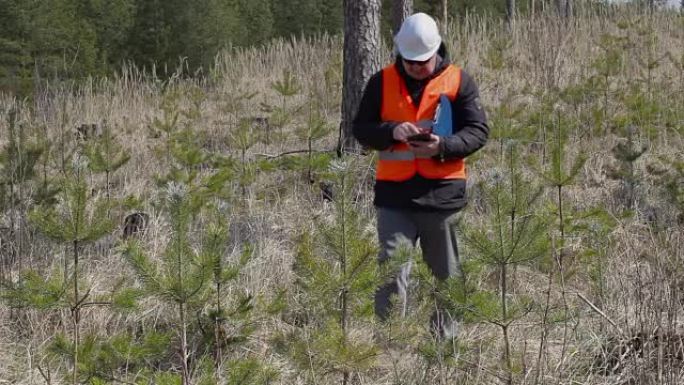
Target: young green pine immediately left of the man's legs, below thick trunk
pixel 337 276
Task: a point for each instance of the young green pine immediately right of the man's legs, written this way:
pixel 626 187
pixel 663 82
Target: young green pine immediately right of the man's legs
pixel 514 234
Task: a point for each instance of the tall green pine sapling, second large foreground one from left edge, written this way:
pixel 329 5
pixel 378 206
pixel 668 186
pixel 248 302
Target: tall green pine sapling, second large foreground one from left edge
pixel 187 268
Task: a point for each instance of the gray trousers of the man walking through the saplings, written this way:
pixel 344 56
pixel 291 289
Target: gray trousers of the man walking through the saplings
pixel 438 244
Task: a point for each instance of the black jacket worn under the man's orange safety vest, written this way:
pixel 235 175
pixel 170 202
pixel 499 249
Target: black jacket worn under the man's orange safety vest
pixel 470 134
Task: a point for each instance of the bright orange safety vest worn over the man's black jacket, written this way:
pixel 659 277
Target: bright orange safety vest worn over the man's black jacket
pixel 398 163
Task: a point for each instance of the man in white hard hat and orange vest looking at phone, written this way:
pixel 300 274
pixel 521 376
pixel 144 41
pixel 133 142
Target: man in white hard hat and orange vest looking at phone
pixel 420 182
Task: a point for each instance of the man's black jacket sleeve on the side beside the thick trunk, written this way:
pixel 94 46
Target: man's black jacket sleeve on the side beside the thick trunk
pixel 368 128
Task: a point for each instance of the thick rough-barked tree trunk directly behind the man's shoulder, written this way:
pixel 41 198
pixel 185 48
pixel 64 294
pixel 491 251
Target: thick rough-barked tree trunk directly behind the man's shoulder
pixel 361 60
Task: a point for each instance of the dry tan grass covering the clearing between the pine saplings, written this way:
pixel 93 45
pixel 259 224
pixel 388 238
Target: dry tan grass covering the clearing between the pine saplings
pixel 641 285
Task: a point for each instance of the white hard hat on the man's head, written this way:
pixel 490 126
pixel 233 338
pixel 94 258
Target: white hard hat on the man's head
pixel 418 38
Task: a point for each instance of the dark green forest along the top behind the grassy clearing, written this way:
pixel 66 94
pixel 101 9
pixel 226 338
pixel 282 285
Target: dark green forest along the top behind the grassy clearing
pixel 73 39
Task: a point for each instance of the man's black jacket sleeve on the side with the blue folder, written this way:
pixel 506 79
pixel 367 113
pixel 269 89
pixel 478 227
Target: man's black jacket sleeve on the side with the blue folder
pixel 469 122
